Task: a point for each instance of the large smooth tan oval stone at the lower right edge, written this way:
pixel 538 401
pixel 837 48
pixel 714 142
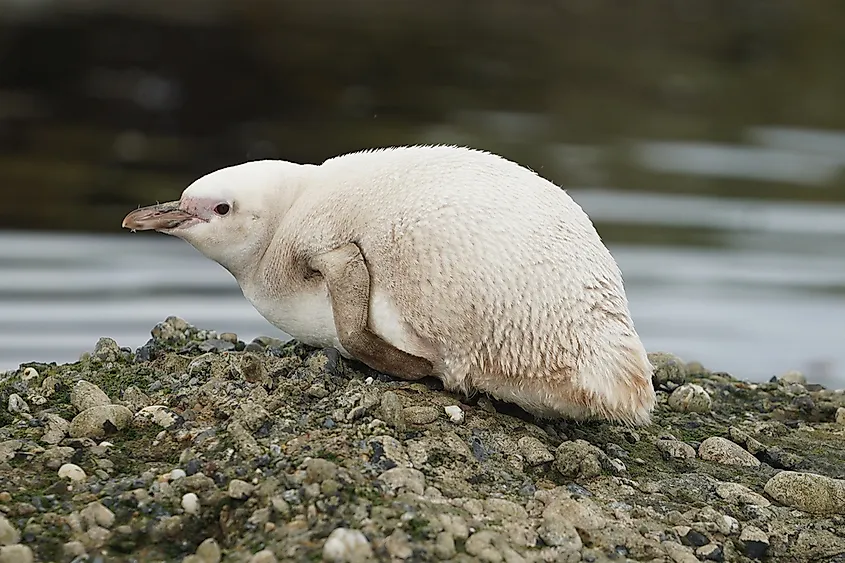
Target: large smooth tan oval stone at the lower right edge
pixel 808 492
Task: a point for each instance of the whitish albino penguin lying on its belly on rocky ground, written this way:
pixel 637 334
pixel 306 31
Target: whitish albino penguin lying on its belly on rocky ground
pixel 428 261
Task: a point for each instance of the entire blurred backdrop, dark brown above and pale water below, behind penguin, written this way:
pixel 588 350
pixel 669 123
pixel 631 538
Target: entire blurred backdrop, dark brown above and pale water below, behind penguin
pixel 705 138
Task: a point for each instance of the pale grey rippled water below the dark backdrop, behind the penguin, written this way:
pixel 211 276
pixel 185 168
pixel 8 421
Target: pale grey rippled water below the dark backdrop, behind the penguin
pixel 769 298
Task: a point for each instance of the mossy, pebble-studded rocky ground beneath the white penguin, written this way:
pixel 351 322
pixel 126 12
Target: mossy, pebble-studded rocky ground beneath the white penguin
pixel 200 448
